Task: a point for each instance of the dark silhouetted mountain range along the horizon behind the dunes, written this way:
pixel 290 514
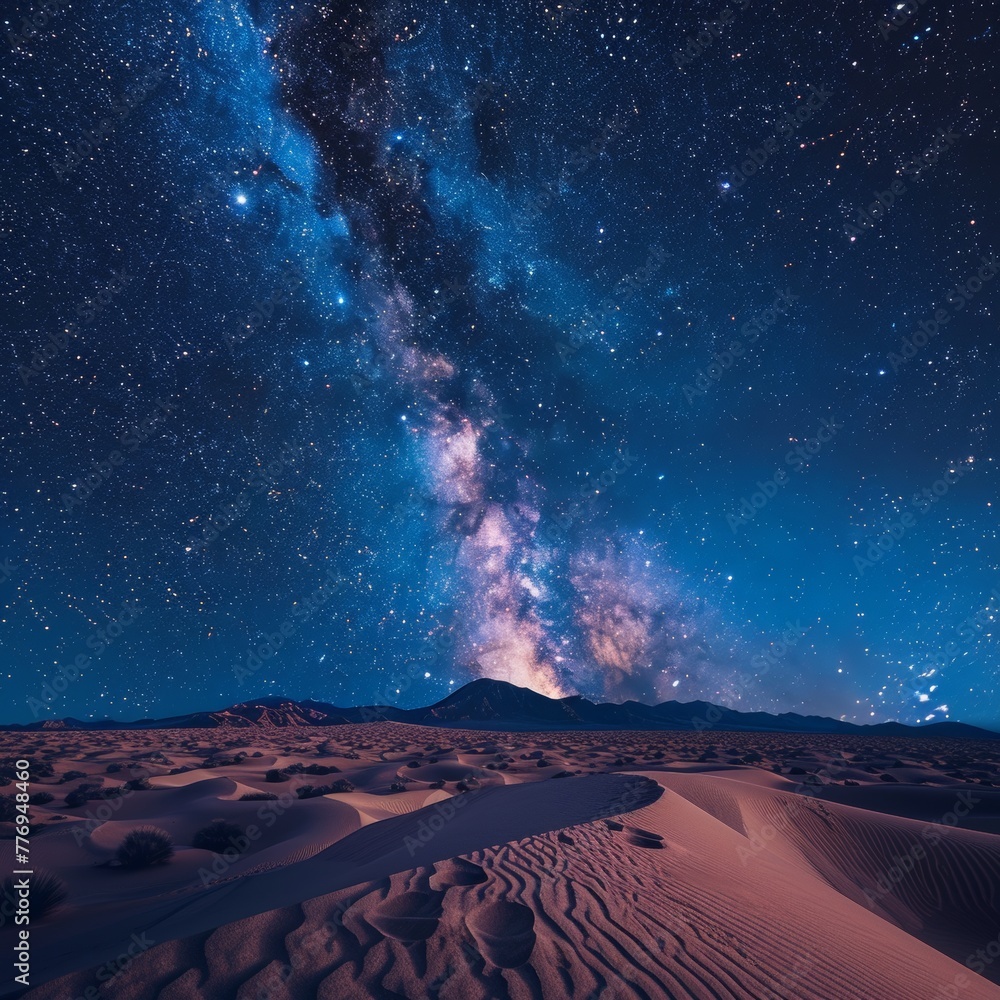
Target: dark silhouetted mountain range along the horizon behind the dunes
pixel 498 705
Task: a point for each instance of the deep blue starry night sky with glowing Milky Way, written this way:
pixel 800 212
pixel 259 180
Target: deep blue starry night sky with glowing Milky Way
pixel 634 350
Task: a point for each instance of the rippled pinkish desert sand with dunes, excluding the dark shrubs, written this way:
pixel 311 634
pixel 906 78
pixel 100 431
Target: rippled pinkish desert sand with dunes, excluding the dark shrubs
pixel 468 865
